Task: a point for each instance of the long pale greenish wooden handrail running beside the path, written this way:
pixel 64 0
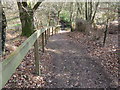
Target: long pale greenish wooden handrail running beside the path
pixel 9 65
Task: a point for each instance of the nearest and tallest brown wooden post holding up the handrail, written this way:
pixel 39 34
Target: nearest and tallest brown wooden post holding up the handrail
pixel 36 55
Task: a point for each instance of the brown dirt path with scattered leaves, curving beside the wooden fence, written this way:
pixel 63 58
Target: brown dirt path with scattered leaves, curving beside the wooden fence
pixel 71 66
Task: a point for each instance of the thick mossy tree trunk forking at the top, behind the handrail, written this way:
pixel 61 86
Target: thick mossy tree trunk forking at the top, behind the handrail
pixel 27 17
